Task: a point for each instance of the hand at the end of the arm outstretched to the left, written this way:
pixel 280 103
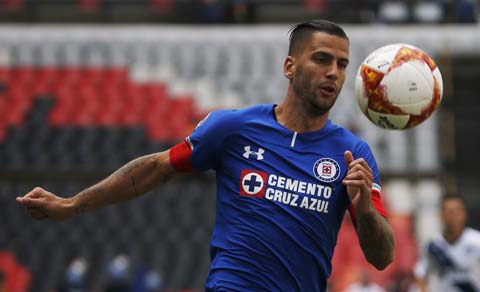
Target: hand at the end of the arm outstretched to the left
pixel 41 205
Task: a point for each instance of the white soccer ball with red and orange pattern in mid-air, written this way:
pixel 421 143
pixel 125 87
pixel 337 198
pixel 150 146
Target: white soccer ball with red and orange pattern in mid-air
pixel 398 86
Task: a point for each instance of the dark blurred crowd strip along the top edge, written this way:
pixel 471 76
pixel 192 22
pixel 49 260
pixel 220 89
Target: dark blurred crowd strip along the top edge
pixel 240 11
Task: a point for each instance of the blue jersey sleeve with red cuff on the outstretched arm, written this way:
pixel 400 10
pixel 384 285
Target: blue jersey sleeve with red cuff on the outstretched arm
pixel 201 150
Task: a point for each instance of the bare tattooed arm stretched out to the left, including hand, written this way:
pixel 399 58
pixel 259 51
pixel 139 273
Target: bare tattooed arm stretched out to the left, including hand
pixel 131 180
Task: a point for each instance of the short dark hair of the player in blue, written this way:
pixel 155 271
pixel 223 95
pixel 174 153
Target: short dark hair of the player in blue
pixel 301 32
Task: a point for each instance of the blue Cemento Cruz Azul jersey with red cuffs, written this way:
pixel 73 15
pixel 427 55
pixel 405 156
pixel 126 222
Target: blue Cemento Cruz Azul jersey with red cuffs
pixel 280 198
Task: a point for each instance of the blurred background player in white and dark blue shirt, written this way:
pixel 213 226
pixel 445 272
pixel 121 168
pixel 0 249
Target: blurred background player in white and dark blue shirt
pixel 451 261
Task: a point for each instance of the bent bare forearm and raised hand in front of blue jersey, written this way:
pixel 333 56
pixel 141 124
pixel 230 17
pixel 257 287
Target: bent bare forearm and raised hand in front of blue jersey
pixel 374 231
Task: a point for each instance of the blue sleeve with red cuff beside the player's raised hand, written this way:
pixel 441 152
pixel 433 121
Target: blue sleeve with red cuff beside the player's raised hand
pixel 364 151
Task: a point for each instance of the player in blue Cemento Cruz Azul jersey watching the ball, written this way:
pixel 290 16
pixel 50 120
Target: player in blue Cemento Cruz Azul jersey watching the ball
pixel 285 177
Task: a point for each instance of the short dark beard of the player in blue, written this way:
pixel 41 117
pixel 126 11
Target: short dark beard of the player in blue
pixel 308 93
